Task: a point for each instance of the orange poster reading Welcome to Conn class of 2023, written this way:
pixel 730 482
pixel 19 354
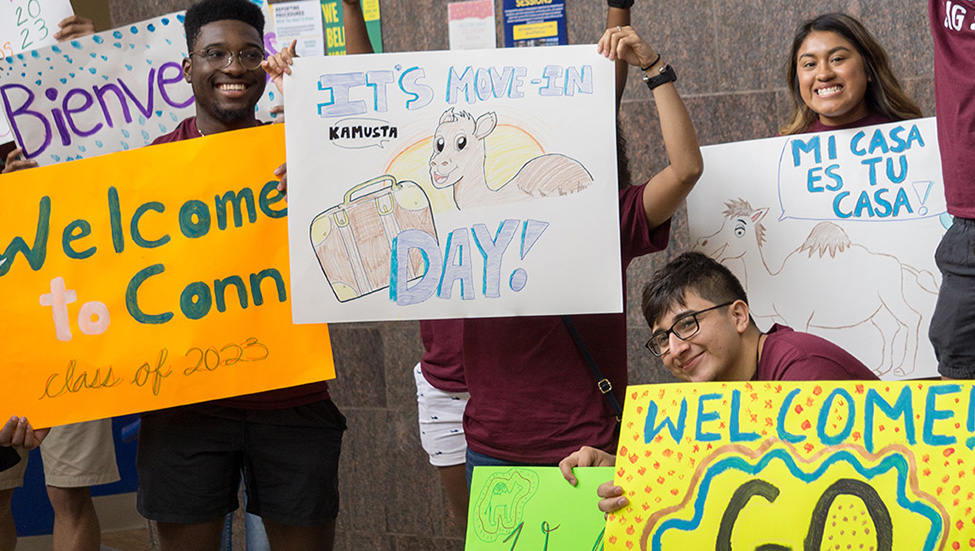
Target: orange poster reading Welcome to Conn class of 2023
pixel 148 279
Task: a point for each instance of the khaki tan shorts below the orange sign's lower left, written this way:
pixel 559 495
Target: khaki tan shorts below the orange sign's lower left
pixel 74 456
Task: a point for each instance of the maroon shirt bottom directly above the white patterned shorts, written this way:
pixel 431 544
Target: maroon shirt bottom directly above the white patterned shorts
pixel 443 354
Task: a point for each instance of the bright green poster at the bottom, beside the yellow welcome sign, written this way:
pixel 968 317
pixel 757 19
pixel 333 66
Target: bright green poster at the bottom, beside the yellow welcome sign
pixel 535 509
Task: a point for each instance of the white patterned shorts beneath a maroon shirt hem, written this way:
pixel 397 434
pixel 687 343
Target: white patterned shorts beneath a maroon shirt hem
pixel 441 416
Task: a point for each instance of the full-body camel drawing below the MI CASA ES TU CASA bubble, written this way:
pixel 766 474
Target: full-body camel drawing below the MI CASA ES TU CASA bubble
pixel 821 274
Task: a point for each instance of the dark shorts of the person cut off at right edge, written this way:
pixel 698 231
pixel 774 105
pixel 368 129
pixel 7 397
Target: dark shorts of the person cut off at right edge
pixel 952 330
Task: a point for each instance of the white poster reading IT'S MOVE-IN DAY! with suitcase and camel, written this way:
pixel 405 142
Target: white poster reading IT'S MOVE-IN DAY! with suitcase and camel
pixel 445 184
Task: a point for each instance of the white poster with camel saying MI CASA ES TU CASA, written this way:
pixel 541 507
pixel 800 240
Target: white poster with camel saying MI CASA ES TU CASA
pixel 833 233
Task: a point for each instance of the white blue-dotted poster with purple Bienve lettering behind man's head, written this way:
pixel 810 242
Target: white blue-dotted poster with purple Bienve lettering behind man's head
pixel 111 91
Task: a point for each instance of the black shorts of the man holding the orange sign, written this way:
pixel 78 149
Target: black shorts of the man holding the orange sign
pixel 190 460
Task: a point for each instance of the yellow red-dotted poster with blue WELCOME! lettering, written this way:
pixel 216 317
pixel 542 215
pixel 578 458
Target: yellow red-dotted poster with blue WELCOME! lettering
pixel 881 466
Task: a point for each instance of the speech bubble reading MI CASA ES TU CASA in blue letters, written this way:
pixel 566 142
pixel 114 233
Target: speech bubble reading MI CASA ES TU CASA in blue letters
pixel 875 173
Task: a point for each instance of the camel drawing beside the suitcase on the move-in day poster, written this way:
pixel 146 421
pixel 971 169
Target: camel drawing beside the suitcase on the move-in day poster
pixel 458 160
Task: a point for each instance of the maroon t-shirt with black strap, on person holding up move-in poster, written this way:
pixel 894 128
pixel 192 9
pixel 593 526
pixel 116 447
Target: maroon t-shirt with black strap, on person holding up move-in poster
pixel 533 398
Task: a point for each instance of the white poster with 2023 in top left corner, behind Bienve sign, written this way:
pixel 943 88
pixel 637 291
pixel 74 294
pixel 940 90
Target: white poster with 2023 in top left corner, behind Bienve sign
pixel 26 25
